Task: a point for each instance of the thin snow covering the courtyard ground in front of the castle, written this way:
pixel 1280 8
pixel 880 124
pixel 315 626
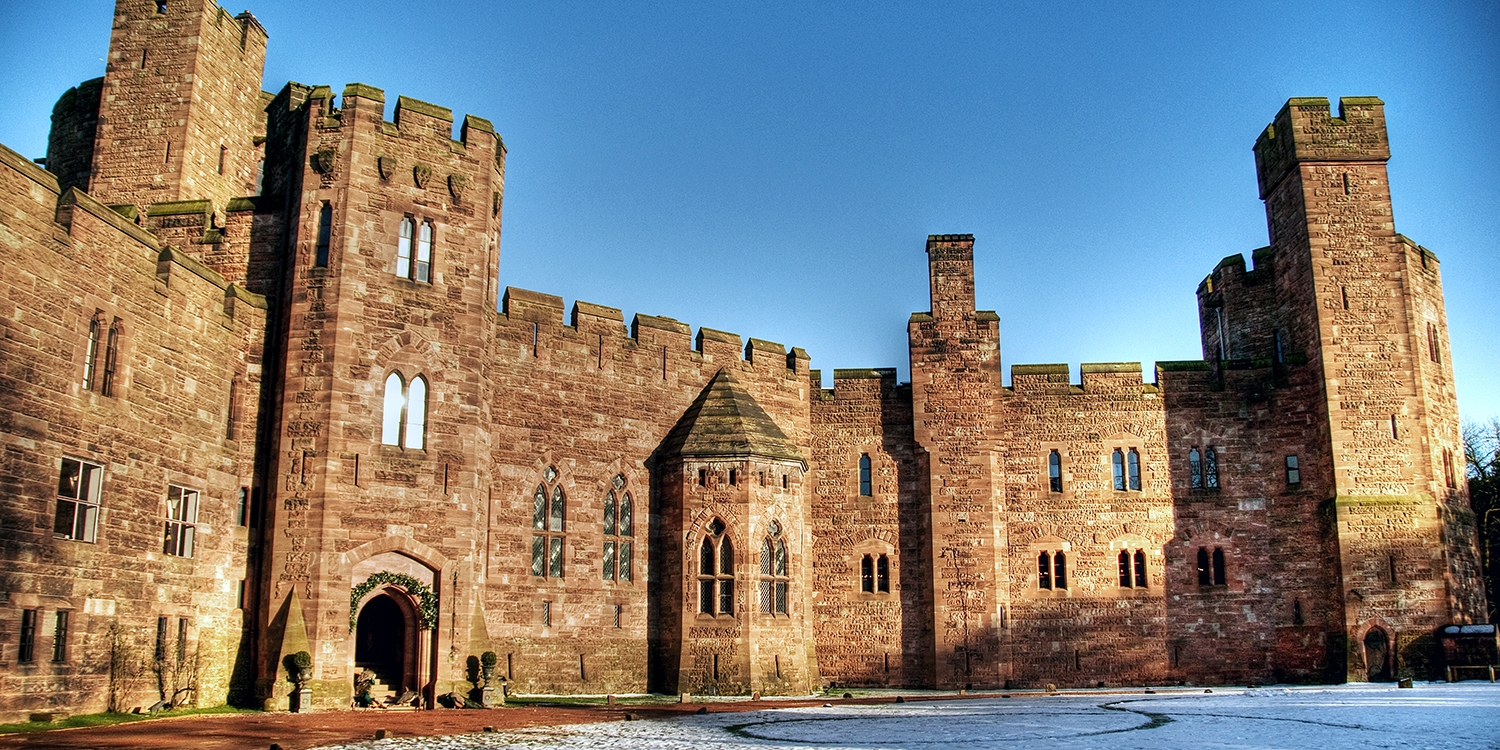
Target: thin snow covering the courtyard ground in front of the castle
pixel 1432 716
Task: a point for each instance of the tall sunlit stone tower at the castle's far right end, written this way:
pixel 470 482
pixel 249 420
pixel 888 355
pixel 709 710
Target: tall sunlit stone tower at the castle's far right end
pixel 1366 305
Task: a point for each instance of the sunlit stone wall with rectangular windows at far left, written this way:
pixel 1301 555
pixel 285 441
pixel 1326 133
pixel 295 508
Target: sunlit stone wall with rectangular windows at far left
pixel 187 341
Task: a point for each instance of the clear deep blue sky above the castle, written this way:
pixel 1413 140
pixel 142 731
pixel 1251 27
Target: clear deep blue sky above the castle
pixel 773 170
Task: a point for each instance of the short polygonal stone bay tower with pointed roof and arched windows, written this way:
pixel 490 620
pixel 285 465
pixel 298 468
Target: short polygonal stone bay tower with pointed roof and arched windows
pixel 734 608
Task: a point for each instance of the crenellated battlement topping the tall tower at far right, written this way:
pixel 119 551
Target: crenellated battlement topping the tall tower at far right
pixel 1304 131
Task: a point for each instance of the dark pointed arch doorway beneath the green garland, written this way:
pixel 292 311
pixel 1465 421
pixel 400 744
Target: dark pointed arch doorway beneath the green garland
pixel 386 643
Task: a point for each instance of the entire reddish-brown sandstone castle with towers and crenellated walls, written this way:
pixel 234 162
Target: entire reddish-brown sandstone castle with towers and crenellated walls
pixel 262 394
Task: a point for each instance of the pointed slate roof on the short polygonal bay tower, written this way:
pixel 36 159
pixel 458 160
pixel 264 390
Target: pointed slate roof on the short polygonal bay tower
pixel 727 422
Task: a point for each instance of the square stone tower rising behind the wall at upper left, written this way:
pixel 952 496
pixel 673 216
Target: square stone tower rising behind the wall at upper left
pixel 181 107
